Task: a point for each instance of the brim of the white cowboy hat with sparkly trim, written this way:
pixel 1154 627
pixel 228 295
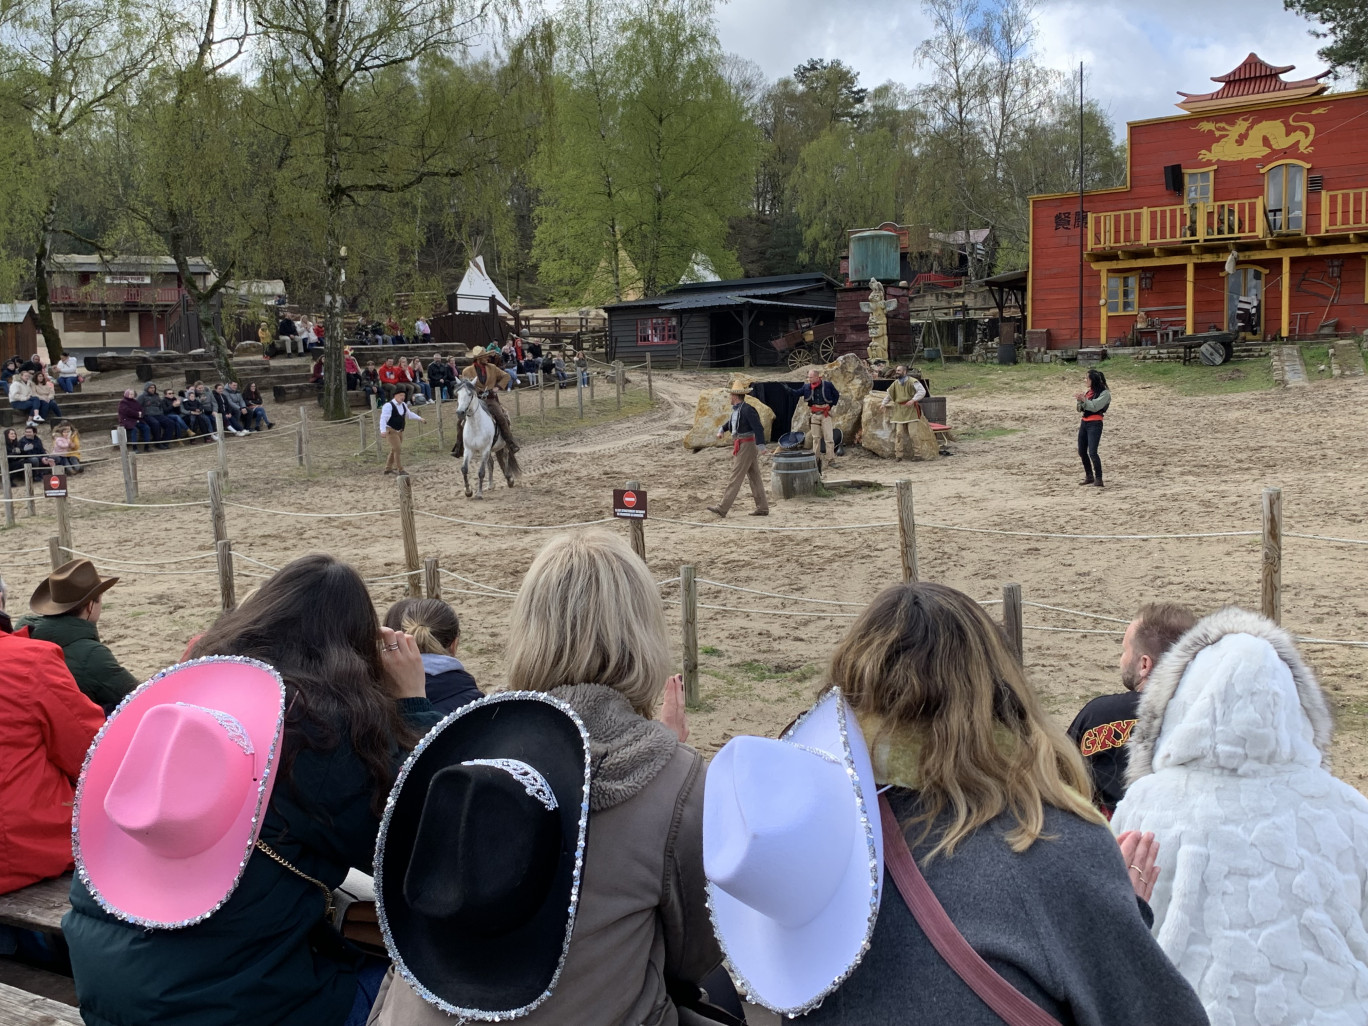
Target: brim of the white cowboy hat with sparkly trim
pixel 793 969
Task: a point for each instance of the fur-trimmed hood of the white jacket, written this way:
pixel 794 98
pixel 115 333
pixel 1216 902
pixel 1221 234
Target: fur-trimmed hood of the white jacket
pixel 1233 692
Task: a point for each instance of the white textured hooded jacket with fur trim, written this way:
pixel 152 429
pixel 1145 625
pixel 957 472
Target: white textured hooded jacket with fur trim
pixel 1263 899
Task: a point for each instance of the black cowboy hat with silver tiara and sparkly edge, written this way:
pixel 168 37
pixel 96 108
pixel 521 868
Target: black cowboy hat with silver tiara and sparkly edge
pixel 481 853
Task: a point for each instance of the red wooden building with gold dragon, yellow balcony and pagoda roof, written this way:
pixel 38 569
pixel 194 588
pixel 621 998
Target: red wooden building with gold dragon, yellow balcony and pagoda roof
pixel 1246 213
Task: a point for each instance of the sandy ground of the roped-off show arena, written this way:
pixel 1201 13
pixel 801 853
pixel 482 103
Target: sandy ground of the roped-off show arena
pixel 1173 464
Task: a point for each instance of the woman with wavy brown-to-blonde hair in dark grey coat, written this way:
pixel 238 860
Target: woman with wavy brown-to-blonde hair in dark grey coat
pixel 992 801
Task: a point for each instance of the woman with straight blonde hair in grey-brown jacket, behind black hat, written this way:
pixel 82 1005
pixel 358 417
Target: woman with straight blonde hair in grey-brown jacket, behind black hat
pixel 592 634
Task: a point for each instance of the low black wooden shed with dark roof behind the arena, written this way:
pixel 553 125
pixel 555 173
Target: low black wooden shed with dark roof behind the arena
pixel 720 324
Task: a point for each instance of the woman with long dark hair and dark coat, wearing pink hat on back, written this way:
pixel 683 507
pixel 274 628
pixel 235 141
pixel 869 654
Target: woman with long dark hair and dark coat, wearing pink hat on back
pixel 355 705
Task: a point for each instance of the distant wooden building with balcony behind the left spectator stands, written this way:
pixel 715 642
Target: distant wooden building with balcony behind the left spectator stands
pixel 122 302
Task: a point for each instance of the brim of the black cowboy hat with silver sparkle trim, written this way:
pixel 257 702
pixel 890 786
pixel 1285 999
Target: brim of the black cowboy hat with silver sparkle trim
pixel 478 975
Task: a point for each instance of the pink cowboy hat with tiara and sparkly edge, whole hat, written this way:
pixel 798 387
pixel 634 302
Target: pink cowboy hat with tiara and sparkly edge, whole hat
pixel 174 789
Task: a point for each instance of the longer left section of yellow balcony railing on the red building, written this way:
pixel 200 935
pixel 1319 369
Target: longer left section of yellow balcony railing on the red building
pixel 1177 225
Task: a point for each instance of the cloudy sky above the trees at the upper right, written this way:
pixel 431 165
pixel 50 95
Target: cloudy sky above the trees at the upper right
pixel 1137 55
